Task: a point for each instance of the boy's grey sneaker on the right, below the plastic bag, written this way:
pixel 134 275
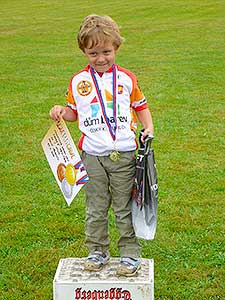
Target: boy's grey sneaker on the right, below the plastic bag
pixel 128 266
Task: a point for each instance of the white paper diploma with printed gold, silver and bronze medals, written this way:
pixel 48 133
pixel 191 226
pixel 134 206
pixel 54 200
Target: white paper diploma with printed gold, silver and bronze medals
pixel 64 160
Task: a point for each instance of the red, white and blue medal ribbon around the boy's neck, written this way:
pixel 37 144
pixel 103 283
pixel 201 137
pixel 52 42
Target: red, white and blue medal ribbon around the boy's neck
pixel 112 130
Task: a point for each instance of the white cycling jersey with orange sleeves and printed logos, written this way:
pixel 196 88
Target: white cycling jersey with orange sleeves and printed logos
pixel 102 104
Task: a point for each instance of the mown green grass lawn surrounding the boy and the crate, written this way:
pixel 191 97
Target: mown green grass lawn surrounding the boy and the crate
pixel 176 48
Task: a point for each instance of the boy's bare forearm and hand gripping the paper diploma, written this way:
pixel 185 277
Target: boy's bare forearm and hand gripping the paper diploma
pixel 62 111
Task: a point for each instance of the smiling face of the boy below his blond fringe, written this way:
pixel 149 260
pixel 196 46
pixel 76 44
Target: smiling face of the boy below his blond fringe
pixel 101 57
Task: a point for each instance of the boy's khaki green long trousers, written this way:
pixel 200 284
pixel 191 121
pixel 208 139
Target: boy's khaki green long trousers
pixel 110 184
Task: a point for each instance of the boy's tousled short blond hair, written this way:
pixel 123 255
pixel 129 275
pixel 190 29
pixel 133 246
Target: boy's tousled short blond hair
pixel 96 30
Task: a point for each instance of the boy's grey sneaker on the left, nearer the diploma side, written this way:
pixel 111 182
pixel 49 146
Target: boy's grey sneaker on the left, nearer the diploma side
pixel 96 261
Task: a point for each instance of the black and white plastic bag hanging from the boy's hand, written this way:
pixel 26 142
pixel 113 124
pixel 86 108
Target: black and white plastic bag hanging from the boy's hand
pixel 145 192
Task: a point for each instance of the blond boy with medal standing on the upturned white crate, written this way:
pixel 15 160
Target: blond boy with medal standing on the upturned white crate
pixel 105 99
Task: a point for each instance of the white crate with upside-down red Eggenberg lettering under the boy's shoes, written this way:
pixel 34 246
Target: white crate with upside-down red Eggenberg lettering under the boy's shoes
pixel 71 282
